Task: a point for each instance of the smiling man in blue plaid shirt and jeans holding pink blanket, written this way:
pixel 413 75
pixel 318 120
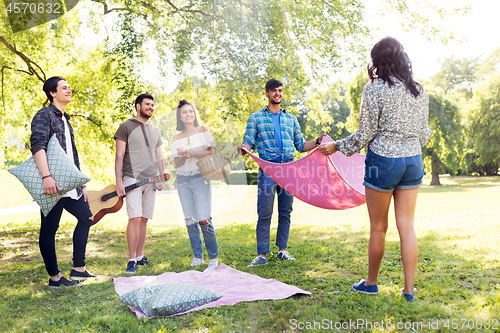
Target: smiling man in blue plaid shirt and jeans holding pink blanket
pixel 274 133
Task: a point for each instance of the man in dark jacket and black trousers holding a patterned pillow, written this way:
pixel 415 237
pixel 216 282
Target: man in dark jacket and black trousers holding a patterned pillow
pixel 46 122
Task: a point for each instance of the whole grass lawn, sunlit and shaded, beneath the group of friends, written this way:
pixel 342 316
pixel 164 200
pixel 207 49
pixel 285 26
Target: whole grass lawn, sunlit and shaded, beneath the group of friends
pixel 458 277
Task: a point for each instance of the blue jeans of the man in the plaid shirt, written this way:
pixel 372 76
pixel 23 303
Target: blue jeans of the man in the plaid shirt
pixel 267 188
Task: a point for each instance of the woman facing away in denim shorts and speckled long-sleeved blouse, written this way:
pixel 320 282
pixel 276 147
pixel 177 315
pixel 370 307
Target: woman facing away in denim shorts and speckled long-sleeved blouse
pixel 393 123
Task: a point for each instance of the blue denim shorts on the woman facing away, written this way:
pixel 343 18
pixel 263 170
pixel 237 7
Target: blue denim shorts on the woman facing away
pixel 385 174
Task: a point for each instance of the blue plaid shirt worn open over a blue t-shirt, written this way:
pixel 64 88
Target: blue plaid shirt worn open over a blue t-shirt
pixel 259 135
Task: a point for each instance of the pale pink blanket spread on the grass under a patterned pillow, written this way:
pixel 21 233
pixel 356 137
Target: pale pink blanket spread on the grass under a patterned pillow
pixel 234 285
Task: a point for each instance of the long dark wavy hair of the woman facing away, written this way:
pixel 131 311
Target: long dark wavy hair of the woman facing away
pixel 390 59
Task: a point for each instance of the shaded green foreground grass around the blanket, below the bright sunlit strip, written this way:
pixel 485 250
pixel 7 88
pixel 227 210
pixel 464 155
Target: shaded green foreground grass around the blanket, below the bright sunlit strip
pixel 328 262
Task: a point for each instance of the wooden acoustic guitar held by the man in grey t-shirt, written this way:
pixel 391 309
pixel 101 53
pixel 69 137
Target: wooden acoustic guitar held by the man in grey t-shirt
pixel 107 201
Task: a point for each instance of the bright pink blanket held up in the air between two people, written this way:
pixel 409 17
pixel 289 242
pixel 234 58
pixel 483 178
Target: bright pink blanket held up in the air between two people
pixel 330 182
